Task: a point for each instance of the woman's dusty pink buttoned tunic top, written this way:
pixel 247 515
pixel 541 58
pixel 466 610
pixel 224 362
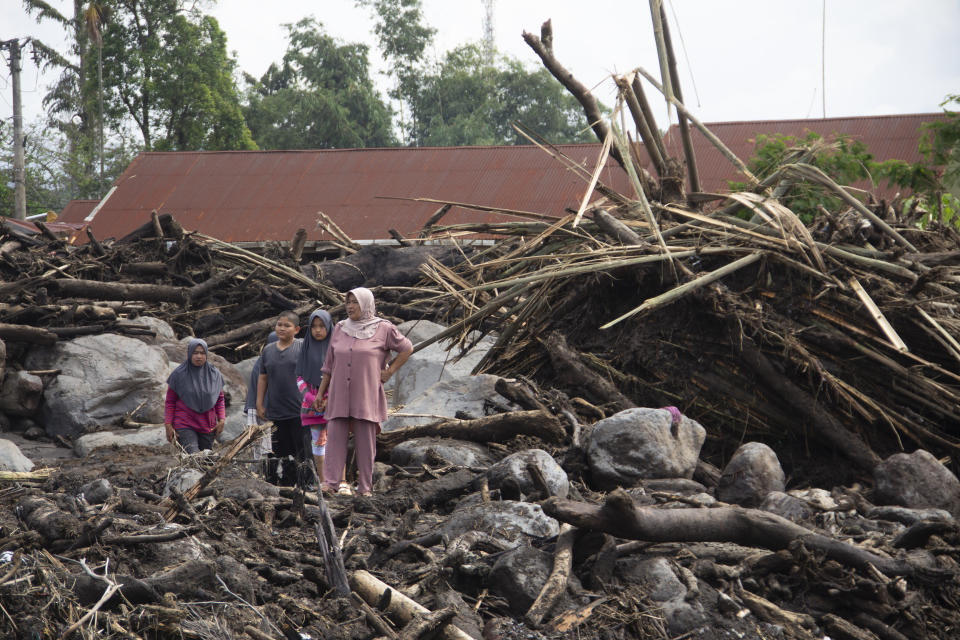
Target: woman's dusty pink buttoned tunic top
pixel 354 366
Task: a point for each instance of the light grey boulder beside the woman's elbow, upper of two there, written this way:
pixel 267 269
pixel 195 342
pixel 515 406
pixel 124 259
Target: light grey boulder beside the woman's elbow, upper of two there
pixel 434 363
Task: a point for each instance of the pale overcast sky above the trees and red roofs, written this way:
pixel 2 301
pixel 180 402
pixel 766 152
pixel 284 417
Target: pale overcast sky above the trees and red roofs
pixel 739 59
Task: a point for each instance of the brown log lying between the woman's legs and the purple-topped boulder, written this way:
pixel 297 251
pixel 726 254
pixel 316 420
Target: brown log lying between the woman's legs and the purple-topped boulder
pixel 495 428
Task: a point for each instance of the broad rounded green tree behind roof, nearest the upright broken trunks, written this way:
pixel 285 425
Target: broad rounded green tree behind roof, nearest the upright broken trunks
pixel 465 101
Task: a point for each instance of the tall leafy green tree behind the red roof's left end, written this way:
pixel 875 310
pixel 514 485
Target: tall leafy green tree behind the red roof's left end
pixel 167 68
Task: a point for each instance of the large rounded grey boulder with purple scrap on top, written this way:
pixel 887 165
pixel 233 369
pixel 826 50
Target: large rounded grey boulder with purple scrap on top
pixel 641 443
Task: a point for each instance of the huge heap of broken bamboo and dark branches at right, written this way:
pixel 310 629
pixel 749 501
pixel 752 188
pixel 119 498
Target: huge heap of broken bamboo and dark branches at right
pixel 844 332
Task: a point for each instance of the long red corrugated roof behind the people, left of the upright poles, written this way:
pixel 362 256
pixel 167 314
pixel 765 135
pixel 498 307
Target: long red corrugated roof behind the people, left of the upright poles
pixel 268 195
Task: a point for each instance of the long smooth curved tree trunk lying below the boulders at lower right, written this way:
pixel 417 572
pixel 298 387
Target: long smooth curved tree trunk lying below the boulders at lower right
pixel 620 516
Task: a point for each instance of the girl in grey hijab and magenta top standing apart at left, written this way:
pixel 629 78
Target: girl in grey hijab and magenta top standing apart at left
pixel 195 410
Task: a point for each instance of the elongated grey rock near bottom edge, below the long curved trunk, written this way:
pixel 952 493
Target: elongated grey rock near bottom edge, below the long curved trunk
pixel 661 584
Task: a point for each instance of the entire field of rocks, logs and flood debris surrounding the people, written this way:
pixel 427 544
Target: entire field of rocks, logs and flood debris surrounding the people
pixel 645 419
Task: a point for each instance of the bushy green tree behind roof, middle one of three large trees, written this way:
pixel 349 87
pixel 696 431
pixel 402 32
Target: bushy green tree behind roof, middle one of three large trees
pixel 321 96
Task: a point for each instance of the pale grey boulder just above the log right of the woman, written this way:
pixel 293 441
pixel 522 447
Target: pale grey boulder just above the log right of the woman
pixel 468 394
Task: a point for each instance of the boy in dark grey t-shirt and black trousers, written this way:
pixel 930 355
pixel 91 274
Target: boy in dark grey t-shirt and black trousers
pixel 278 398
